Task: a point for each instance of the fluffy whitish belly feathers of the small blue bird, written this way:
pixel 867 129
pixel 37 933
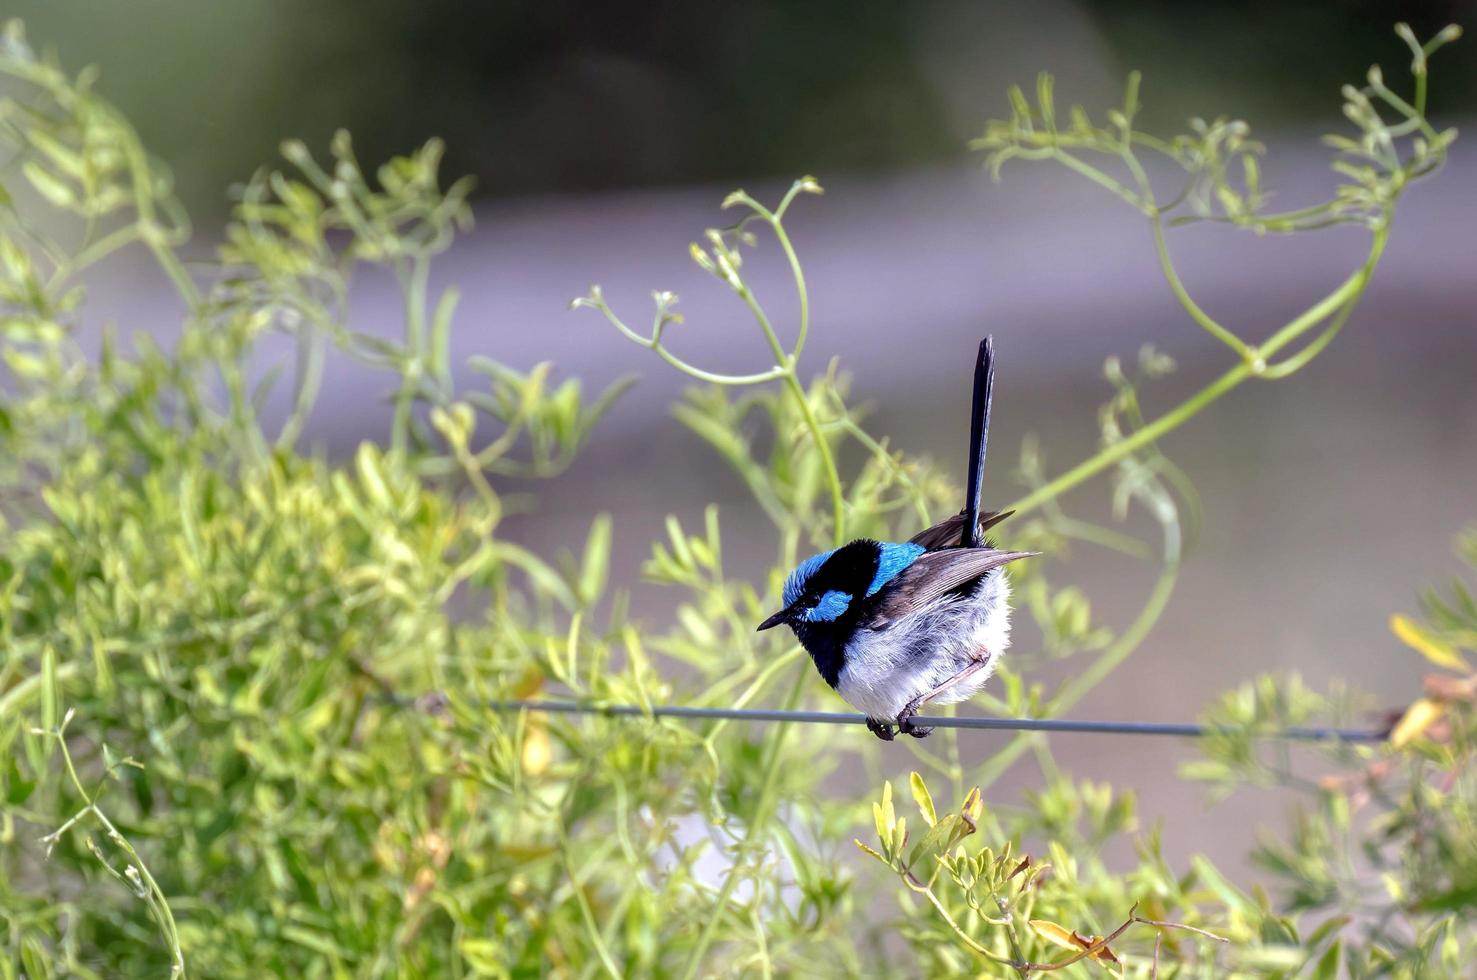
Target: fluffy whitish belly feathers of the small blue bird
pixel 885 669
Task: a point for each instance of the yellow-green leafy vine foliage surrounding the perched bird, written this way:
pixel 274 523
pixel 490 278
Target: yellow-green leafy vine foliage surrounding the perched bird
pixel 246 693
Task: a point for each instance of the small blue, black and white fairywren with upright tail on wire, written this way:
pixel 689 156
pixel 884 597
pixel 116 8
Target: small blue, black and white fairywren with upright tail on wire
pixel 894 627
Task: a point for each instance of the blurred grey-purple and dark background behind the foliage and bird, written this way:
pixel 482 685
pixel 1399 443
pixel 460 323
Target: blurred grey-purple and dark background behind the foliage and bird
pixel 603 141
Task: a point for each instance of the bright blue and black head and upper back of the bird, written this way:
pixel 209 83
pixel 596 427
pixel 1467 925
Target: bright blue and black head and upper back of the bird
pixel 825 588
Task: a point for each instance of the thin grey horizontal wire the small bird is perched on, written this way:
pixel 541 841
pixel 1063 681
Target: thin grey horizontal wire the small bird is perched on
pixel 977 724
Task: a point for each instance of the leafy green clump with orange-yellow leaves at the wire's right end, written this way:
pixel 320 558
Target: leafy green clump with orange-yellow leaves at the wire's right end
pixel 1382 845
